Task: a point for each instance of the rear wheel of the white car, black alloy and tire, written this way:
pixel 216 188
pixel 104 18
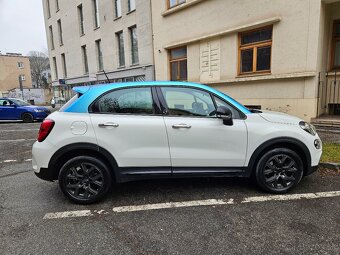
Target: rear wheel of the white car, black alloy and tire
pixel 85 179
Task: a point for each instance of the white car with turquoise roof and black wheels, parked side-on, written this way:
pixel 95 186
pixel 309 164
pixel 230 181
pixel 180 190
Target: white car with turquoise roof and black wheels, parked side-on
pixel 133 131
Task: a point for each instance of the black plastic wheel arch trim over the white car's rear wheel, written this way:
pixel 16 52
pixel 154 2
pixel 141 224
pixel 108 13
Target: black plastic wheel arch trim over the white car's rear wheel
pixel 69 151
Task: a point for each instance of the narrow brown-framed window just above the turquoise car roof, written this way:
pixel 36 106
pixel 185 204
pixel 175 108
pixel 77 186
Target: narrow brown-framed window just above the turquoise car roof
pixel 178 64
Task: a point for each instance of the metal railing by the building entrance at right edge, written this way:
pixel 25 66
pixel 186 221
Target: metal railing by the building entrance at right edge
pixel 328 93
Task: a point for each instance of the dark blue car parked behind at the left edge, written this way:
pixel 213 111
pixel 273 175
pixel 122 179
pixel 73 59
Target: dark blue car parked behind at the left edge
pixel 16 109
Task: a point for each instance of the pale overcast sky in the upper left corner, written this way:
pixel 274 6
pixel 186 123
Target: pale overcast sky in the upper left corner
pixel 22 27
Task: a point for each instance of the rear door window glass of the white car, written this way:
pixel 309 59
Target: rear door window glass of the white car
pixel 125 101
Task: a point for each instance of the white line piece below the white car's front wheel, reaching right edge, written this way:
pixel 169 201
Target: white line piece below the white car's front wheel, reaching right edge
pixel 291 197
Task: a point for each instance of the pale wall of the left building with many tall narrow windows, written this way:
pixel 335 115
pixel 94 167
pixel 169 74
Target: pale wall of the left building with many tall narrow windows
pixel 106 32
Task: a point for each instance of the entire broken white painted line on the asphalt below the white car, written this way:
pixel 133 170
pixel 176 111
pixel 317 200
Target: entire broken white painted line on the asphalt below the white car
pixel 208 202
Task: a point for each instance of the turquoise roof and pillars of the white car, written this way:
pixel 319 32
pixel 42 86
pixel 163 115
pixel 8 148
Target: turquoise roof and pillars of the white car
pixel 90 93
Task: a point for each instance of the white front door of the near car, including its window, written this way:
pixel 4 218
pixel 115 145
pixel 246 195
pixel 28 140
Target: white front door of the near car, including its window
pixel 198 140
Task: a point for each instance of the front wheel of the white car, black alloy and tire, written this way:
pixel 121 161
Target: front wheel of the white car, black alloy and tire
pixel 279 170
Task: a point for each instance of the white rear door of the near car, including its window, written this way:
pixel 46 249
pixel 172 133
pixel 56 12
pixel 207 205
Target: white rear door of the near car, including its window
pixel 129 125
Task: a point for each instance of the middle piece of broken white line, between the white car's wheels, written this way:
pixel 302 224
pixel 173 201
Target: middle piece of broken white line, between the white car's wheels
pixel 171 205
